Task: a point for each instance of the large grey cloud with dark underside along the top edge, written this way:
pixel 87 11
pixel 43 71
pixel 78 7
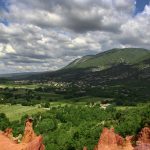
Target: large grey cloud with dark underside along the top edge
pixel 79 16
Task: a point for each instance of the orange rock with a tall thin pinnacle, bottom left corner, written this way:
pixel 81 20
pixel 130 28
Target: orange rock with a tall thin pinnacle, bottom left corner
pixel 30 140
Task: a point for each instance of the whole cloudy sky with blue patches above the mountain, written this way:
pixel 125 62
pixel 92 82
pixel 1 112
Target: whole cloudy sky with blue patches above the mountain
pixel 45 35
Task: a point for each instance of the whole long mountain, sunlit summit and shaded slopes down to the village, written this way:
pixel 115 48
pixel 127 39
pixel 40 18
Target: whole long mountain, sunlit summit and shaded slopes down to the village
pixel 114 64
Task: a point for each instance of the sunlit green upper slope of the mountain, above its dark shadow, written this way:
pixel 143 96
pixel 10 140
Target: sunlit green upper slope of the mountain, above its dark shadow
pixel 110 58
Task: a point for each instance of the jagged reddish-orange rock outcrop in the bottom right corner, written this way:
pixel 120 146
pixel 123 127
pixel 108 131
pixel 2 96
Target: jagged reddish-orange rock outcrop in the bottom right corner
pixel 109 140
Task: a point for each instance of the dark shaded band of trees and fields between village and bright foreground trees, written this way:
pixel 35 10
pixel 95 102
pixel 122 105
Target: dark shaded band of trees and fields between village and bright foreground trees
pixel 125 94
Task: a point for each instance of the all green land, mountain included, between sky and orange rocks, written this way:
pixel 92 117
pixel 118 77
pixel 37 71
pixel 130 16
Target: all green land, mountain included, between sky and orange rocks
pixel 71 106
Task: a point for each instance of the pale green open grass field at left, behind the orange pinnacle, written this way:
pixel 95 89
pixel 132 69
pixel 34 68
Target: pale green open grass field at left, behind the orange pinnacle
pixel 15 112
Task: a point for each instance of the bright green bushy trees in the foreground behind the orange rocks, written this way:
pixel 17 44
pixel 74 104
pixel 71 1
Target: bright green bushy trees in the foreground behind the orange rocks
pixel 72 127
